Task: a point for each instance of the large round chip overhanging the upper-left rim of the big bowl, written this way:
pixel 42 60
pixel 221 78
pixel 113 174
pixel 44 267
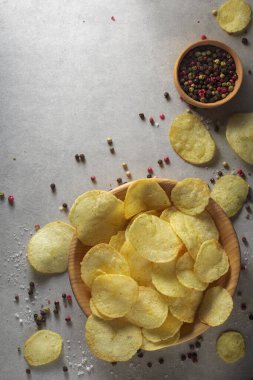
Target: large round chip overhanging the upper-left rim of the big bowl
pixel 97 216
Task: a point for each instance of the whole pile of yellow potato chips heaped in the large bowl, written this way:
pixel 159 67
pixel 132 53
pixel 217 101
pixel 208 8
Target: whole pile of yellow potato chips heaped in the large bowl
pixel 152 260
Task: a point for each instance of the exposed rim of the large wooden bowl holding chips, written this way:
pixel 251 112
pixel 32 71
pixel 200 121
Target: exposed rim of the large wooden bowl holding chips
pixel 201 327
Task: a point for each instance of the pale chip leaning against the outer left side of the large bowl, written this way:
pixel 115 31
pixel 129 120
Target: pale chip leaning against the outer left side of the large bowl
pixel 47 250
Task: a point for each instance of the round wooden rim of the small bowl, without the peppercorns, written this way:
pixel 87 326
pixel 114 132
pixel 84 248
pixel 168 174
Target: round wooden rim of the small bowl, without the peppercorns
pixel 239 71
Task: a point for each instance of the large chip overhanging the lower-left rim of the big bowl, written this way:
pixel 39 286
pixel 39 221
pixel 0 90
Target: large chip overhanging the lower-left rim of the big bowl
pixel 113 341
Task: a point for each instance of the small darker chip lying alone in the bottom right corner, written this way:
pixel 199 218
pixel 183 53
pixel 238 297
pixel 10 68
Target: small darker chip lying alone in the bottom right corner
pixel 230 346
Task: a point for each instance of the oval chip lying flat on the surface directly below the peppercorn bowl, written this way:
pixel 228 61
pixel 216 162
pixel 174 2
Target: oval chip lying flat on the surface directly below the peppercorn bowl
pixel 191 140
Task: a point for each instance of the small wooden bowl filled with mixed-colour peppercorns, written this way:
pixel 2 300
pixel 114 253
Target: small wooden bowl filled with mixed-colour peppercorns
pixel 208 73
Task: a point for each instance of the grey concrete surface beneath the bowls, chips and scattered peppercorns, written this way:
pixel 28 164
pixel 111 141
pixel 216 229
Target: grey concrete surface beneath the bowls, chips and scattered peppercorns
pixel 70 77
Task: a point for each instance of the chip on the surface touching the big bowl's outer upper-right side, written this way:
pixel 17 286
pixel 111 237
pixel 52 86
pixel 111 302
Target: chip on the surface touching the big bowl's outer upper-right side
pixel 230 192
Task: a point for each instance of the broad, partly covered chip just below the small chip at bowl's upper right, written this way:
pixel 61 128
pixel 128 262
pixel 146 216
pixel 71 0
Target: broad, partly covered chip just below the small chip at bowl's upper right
pixel 194 230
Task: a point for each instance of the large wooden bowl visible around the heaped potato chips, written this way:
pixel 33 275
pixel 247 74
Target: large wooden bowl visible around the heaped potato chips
pixel 228 239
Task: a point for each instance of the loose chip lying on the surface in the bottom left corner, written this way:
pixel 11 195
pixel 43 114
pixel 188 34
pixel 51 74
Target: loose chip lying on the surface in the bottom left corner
pixel 42 347
